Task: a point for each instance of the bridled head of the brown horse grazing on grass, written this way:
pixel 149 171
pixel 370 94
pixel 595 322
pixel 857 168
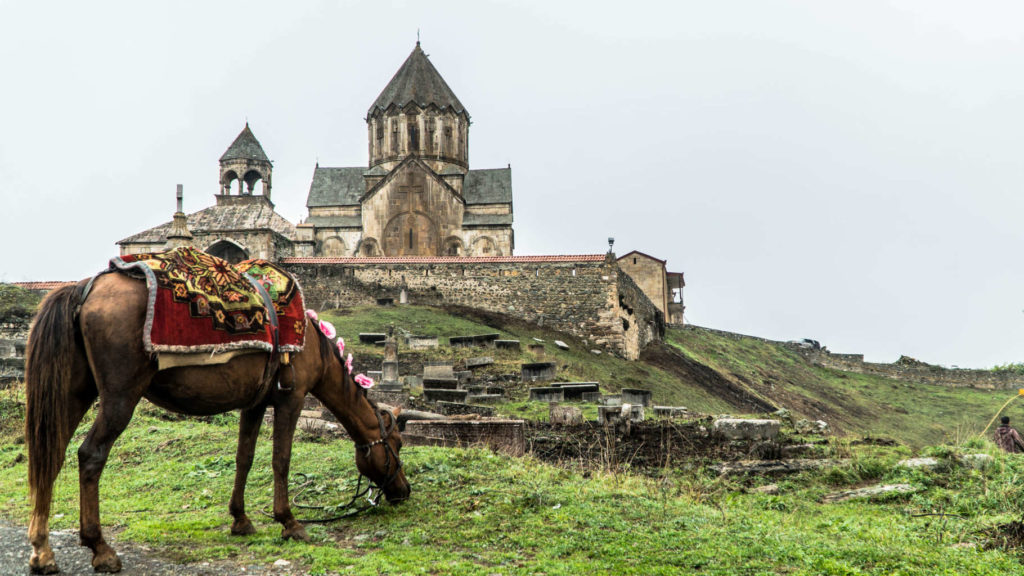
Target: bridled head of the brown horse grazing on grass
pixel 378 460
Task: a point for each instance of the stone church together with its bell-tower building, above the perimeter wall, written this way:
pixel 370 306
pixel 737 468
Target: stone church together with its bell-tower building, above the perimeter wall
pixel 417 197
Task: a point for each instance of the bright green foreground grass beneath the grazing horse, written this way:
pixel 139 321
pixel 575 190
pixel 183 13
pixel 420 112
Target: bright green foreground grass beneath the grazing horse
pixel 473 512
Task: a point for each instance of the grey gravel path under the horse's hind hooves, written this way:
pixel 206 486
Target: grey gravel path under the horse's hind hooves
pixel 138 560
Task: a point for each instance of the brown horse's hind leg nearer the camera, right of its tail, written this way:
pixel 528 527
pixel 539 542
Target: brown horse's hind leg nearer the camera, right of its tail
pixel 115 414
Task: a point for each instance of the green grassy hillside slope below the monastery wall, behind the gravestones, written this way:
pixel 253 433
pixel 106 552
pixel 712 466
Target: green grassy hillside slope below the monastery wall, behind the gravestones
pixel 705 372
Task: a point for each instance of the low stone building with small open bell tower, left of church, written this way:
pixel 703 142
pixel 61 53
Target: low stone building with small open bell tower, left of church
pixel 242 224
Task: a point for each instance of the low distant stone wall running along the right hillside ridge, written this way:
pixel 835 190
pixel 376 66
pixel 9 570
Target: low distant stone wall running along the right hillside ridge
pixel 906 369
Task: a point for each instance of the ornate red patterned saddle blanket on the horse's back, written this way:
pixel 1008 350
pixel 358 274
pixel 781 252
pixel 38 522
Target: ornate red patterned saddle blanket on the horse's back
pixel 201 304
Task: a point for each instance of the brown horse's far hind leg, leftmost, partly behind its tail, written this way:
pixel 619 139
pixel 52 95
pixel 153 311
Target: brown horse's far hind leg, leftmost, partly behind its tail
pixel 83 393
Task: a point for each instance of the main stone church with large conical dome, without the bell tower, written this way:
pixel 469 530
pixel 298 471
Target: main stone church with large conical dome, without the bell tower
pixel 418 196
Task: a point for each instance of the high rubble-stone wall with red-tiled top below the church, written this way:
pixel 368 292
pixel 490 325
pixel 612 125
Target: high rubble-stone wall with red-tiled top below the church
pixel 586 297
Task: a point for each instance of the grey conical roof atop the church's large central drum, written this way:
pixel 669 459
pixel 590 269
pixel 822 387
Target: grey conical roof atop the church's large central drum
pixel 419 83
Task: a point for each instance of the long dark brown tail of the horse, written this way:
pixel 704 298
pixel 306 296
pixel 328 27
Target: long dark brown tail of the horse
pixel 50 357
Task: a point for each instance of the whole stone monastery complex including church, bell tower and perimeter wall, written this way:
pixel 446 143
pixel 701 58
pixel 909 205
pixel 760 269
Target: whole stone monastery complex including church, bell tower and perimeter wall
pixel 418 222
